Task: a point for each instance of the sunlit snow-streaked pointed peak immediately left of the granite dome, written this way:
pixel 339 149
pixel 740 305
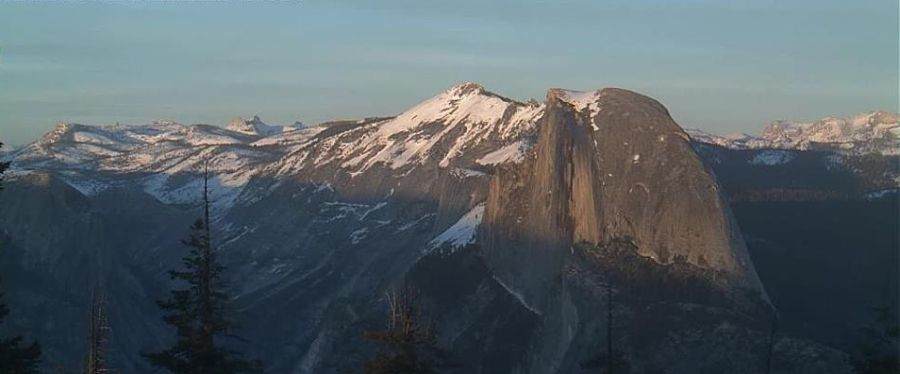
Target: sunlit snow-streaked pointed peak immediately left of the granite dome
pixel 455 128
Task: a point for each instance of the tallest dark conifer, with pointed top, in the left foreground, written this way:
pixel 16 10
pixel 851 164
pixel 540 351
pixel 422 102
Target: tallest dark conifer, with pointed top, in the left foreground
pixel 198 312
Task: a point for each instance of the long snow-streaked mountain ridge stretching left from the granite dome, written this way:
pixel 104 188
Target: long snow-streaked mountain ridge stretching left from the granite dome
pixel 464 126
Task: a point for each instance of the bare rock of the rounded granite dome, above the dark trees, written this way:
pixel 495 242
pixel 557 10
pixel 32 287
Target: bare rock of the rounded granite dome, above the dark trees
pixel 610 164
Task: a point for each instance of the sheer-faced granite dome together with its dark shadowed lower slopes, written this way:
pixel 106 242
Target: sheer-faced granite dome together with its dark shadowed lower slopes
pixel 557 229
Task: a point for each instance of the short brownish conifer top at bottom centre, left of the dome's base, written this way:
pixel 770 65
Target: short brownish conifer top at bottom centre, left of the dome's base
pixel 409 344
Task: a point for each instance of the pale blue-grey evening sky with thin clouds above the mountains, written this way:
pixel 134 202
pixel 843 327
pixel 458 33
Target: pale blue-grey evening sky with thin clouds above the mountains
pixel 719 65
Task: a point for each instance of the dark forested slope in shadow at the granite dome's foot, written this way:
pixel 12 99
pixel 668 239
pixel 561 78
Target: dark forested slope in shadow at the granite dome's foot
pixel 693 326
